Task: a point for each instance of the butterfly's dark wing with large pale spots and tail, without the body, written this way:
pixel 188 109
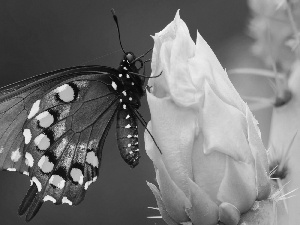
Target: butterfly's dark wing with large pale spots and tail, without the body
pixel 55 133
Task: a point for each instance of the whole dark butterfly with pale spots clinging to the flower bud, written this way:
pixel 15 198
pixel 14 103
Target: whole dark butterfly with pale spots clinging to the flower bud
pixel 53 127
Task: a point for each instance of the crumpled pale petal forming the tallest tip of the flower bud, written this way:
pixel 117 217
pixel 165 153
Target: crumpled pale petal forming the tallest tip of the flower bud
pixel 172 49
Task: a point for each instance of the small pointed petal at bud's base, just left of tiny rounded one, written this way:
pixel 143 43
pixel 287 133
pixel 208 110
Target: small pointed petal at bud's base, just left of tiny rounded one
pixel 203 211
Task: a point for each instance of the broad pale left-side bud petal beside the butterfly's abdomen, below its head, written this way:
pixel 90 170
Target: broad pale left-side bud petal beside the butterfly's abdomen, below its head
pixel 174 130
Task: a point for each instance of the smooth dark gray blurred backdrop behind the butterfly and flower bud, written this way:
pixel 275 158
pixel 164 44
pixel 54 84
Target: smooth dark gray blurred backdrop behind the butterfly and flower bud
pixel 40 36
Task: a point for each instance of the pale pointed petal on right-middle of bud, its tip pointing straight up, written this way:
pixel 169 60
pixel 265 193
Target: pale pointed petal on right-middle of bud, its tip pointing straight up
pixel 224 128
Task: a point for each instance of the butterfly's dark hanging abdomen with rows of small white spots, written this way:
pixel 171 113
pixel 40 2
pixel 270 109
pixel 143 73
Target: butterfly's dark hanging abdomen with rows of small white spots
pixel 127 136
